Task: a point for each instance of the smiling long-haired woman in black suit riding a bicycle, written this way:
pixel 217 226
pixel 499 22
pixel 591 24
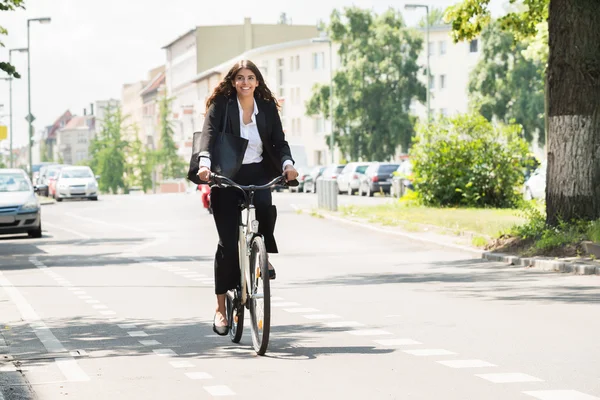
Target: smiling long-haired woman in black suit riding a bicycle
pixel 252 114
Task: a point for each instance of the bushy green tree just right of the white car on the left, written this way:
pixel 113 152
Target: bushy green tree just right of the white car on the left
pixel 108 151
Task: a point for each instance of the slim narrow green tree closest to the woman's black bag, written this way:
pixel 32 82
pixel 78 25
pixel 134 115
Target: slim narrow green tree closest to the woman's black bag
pixel 172 165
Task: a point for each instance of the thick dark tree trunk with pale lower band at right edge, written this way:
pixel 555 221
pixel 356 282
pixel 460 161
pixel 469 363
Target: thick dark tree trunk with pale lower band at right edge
pixel 573 178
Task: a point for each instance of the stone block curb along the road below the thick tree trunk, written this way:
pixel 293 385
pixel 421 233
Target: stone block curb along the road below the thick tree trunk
pixel 544 264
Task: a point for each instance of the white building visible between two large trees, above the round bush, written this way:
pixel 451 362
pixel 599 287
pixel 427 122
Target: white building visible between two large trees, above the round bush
pixel 450 64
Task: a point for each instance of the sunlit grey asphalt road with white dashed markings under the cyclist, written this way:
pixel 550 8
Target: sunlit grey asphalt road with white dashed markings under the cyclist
pixel 116 302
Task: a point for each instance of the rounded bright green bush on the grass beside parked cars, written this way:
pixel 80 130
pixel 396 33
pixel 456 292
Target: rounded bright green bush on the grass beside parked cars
pixel 467 161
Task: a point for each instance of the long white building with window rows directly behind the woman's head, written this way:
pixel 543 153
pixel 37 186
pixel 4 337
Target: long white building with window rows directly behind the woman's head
pixel 290 70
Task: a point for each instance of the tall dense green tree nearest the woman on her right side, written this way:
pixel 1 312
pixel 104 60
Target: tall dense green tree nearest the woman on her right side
pixel 375 84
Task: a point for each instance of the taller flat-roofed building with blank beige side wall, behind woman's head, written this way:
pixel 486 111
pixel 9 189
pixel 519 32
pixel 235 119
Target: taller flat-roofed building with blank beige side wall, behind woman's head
pixel 200 49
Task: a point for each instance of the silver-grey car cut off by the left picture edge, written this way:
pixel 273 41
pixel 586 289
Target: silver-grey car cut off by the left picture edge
pixel 19 207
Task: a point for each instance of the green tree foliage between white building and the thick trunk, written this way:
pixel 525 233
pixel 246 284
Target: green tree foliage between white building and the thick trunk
pixel 506 85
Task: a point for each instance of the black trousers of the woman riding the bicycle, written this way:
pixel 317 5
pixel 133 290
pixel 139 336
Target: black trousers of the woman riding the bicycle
pixel 225 205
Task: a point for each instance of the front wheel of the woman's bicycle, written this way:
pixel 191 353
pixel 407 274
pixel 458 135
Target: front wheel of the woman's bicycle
pixel 260 296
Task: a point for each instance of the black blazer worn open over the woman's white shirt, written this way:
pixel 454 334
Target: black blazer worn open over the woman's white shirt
pixel 275 148
